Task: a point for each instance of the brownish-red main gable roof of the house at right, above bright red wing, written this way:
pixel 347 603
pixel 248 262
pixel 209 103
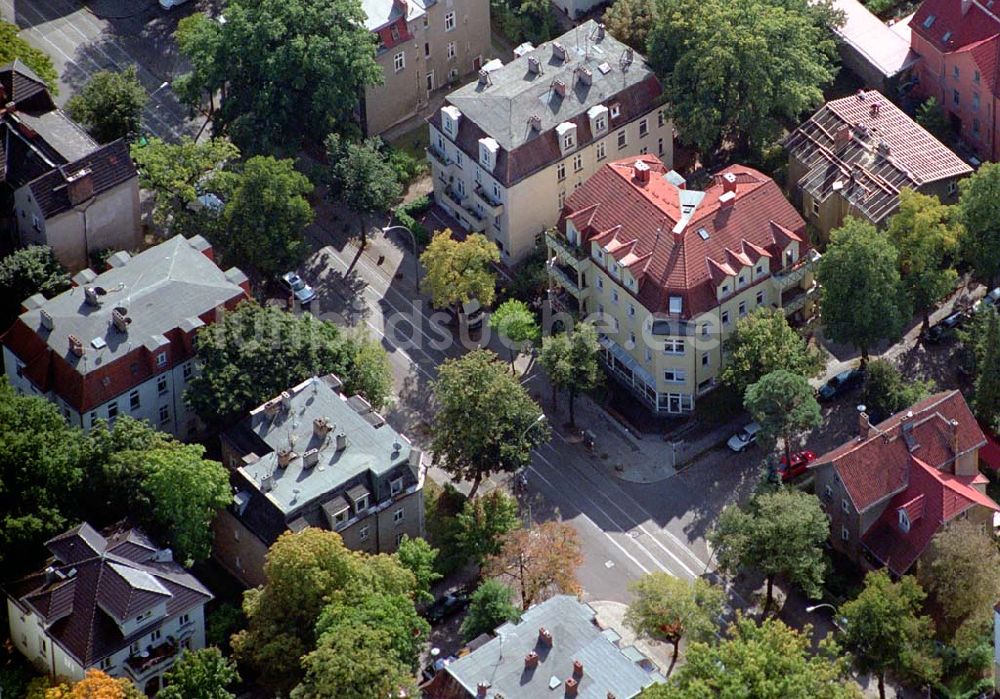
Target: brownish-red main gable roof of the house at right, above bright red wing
pixel 878 467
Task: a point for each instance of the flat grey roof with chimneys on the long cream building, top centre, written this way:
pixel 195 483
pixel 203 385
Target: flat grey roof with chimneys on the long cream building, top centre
pixel 514 94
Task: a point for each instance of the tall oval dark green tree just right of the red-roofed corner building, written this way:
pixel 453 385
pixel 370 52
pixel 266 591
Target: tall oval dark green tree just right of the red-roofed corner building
pixel 863 300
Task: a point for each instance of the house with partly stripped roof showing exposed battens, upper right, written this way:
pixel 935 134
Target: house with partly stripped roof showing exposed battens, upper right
pixel 853 156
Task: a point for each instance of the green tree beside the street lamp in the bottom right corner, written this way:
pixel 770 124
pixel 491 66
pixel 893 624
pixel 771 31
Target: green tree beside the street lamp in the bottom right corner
pixel 885 633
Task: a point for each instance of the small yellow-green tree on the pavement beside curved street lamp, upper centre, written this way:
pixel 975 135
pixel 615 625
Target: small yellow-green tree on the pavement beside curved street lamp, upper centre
pixel 459 270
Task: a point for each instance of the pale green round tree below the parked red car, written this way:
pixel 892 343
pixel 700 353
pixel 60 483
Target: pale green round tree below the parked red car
pixel 779 533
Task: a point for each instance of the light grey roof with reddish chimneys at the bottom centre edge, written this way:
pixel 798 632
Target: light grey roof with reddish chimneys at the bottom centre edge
pixel 575 636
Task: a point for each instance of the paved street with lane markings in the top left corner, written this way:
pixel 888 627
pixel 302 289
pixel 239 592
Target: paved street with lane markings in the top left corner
pixel 82 43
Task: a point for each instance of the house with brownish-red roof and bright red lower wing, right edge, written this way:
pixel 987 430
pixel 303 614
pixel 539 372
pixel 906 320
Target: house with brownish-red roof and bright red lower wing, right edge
pixel 891 488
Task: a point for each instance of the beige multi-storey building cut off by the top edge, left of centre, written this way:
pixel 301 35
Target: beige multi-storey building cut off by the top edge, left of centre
pixel 423 45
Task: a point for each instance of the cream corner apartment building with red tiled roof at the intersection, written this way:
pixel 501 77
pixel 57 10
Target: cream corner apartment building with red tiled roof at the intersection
pixel 667 271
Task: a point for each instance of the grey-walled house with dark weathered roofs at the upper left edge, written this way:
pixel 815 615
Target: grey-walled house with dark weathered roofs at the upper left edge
pixel 58 187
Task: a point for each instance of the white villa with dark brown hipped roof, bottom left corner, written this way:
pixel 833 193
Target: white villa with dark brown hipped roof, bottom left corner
pixel 113 602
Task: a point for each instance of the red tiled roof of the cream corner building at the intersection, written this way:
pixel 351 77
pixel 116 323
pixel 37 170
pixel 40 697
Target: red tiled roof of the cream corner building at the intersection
pixel 615 209
